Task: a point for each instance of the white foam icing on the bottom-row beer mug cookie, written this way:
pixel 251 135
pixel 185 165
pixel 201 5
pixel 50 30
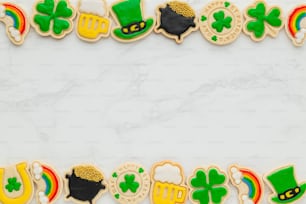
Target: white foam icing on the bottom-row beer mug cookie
pixel 168 173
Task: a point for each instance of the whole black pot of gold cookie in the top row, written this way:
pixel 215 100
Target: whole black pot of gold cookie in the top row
pixel 175 20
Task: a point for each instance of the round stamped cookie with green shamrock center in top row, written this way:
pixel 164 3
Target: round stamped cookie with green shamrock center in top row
pixel 220 22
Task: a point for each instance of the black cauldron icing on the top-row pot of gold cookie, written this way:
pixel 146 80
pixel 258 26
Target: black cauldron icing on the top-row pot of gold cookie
pixel 174 23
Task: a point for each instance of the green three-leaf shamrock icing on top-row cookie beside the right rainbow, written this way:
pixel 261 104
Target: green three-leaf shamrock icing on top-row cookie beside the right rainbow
pixel 260 17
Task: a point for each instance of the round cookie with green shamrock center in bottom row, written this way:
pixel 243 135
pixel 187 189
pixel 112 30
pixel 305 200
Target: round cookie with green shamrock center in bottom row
pixel 129 184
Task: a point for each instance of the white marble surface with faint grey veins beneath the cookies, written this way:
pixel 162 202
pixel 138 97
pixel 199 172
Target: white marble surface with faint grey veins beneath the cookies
pixel 68 102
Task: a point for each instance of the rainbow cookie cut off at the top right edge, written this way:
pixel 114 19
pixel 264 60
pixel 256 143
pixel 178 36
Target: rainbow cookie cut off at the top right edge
pixel 296 25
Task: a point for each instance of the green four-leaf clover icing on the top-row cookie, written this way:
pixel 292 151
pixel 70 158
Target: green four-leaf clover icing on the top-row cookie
pixel 59 14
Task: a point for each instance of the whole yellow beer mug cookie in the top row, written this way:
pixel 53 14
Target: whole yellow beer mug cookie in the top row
pixel 93 22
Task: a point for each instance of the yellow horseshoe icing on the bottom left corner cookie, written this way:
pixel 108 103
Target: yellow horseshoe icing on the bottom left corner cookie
pixel 27 186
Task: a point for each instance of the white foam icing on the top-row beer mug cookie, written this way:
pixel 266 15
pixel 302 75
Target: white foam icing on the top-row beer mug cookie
pixel 96 7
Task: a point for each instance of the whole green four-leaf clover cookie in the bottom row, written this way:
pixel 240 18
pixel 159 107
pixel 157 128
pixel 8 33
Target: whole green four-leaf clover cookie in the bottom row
pixel 208 186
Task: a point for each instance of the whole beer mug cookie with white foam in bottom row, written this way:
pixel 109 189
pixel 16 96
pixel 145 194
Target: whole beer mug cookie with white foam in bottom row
pixel 168 184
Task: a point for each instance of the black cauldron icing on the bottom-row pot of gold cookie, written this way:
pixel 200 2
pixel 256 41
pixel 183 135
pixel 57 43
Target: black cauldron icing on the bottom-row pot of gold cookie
pixel 82 189
